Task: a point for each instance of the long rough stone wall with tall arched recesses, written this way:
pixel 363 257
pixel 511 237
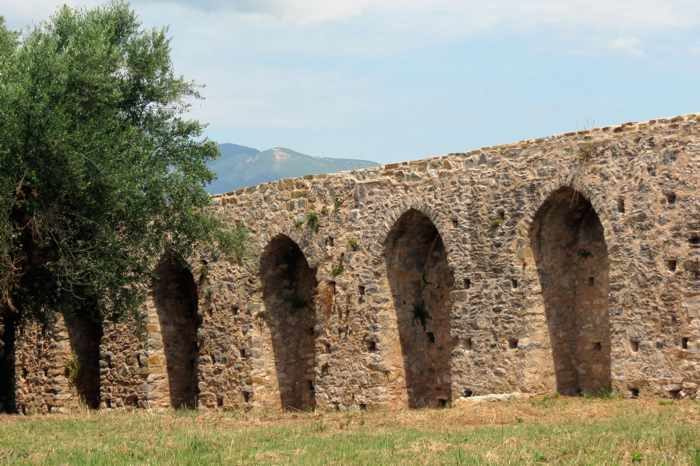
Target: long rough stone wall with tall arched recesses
pixel 569 263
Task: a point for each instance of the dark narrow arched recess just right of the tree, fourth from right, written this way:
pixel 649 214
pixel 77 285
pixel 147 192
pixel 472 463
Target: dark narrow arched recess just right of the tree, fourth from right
pixel 175 295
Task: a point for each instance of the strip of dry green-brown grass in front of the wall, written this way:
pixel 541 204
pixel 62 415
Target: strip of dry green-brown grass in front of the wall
pixel 534 431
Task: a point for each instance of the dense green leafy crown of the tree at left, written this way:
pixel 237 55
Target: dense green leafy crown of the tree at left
pixel 101 171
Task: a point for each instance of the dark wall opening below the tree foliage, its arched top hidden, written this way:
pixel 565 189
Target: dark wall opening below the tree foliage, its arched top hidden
pixel 83 368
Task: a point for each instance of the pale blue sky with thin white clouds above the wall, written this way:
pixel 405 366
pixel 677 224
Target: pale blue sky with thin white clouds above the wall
pixel 402 79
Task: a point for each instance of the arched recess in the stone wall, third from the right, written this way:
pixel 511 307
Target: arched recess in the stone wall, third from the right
pixel 289 288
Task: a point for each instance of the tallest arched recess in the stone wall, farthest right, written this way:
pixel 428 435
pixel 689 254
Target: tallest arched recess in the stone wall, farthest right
pixel 572 261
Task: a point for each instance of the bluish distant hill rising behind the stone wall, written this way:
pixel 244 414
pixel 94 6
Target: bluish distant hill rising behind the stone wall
pixel 241 166
